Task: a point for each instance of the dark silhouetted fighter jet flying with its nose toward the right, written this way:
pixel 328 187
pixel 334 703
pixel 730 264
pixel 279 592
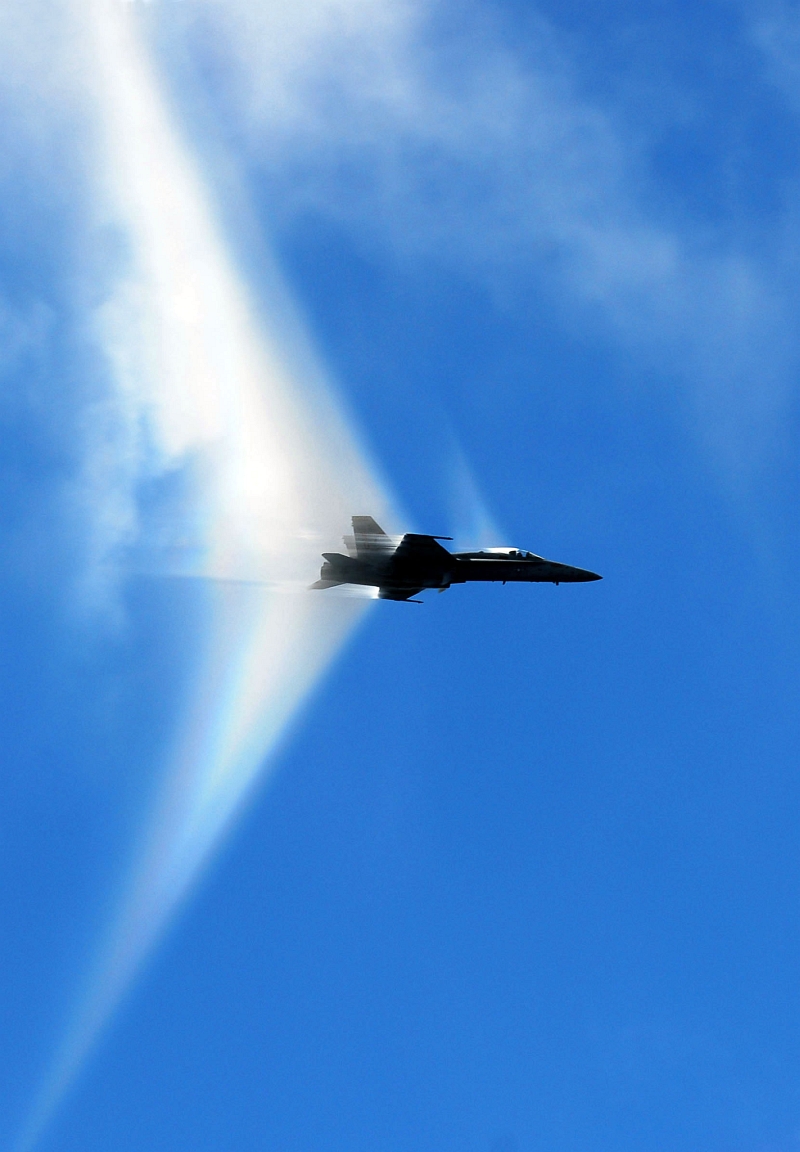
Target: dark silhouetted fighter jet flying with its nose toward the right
pixel 402 571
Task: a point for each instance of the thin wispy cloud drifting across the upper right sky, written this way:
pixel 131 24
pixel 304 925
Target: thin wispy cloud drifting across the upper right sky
pixel 428 133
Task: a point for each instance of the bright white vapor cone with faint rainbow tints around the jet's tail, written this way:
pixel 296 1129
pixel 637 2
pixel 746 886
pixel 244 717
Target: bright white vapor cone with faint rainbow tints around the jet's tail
pixel 276 474
